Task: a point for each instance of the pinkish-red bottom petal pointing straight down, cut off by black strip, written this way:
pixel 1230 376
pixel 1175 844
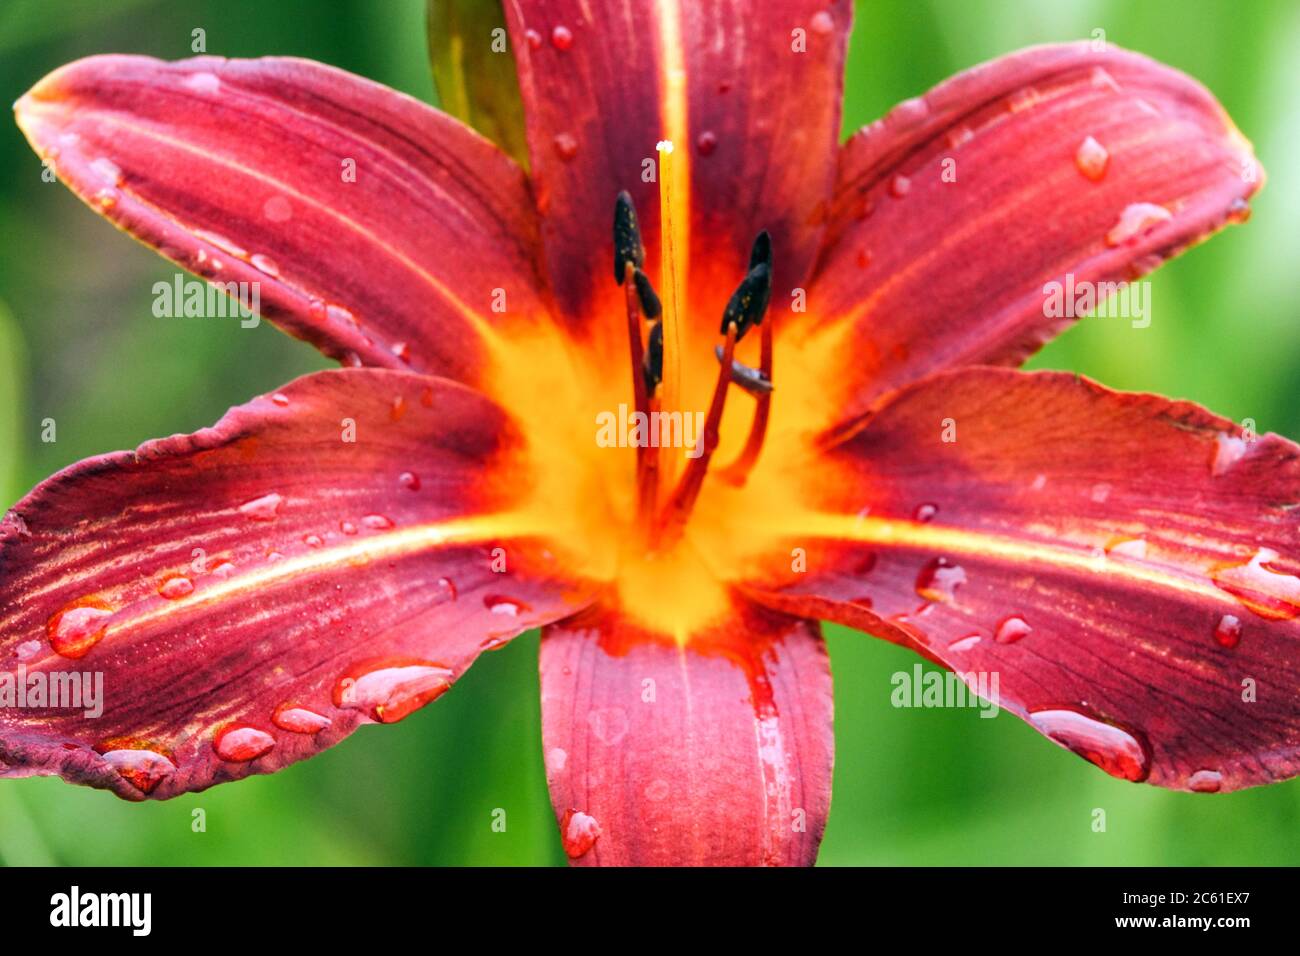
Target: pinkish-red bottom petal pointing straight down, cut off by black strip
pixel 713 752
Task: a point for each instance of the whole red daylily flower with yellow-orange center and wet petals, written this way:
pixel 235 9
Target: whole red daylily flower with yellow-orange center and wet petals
pixel 340 552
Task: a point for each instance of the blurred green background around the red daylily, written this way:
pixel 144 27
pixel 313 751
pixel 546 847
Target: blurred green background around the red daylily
pixel 79 344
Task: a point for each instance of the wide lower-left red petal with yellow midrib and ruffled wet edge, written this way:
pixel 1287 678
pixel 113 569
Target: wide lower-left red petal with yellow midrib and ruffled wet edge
pixel 253 592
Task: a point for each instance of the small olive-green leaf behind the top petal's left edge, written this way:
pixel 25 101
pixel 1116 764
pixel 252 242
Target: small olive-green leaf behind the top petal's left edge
pixel 475 71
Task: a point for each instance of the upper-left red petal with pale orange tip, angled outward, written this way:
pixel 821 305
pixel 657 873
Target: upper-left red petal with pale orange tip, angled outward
pixel 242 171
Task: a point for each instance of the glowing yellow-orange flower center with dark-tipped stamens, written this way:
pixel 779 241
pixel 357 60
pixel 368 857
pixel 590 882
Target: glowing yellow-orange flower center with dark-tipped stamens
pixel 635 483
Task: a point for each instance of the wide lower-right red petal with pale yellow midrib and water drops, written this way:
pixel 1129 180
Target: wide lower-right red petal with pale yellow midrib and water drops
pixel 1126 564
